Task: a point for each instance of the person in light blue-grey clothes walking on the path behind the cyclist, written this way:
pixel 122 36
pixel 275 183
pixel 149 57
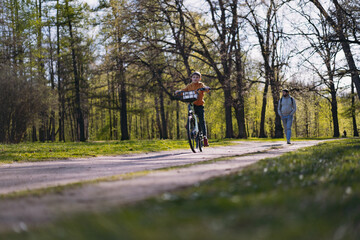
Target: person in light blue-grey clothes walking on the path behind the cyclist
pixel 286 110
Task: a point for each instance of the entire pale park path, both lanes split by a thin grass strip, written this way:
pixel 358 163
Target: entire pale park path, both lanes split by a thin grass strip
pixel 17 213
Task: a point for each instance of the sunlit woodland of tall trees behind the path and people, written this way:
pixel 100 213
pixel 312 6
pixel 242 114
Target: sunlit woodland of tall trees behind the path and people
pixel 71 72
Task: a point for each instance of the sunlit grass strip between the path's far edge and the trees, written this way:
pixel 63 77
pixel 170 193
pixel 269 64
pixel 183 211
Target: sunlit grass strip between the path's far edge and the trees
pixel 25 152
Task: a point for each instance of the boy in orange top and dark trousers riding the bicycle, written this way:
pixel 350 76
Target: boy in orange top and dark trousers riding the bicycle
pixel 199 103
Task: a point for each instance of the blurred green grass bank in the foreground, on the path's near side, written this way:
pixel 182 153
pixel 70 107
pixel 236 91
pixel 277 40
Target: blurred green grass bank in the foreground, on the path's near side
pixel 310 194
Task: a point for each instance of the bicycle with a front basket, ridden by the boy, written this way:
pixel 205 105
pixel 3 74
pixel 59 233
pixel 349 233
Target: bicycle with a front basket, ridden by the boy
pixel 194 134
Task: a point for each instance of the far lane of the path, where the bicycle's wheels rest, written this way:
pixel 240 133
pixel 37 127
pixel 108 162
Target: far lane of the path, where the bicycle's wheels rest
pixel 23 176
